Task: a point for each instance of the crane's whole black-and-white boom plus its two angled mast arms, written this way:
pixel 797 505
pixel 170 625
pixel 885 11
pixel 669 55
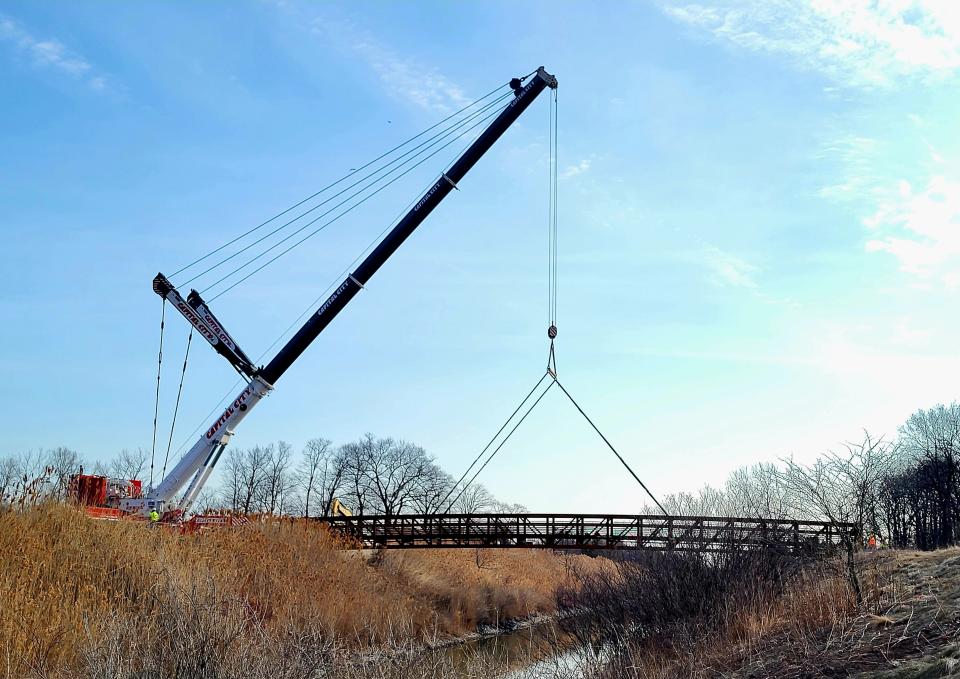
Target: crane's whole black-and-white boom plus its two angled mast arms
pixel 176 492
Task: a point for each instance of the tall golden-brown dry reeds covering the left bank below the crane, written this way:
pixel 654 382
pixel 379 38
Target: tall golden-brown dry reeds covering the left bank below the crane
pixel 78 593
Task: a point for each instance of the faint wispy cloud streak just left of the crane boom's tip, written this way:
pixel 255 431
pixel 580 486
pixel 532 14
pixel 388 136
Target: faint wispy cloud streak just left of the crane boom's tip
pixel 404 77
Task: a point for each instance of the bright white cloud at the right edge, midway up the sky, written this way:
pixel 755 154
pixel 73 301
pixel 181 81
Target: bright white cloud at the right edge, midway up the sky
pixel 921 229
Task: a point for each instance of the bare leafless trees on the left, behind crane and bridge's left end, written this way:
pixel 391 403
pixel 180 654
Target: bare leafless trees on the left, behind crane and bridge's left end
pixel 373 475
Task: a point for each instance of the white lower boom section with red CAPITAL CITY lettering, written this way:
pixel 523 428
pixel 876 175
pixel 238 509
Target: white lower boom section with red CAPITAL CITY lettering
pixel 200 460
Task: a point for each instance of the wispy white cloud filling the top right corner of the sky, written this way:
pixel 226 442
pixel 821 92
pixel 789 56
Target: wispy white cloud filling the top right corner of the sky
pixel 855 43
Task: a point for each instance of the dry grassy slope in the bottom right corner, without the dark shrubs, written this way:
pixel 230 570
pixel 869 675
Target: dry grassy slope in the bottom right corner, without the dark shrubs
pixel 907 626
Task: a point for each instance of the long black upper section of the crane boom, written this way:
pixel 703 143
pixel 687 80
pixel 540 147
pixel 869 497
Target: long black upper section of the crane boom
pixel 406 226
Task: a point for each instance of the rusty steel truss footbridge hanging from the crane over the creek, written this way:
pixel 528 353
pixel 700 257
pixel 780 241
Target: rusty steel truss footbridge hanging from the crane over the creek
pixel 591 532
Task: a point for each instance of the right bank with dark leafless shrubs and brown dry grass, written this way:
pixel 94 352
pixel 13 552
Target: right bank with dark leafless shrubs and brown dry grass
pixel 764 619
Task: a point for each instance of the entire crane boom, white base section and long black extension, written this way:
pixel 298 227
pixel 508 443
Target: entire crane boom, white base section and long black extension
pixel 196 466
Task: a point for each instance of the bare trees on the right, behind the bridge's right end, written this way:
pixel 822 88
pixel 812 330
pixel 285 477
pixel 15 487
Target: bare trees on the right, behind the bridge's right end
pixel 905 490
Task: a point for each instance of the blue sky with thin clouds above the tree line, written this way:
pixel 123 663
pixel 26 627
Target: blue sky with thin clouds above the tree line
pixel 759 226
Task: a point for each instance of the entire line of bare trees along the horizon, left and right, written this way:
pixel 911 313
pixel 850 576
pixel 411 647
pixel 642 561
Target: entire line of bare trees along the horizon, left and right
pixel 904 489
